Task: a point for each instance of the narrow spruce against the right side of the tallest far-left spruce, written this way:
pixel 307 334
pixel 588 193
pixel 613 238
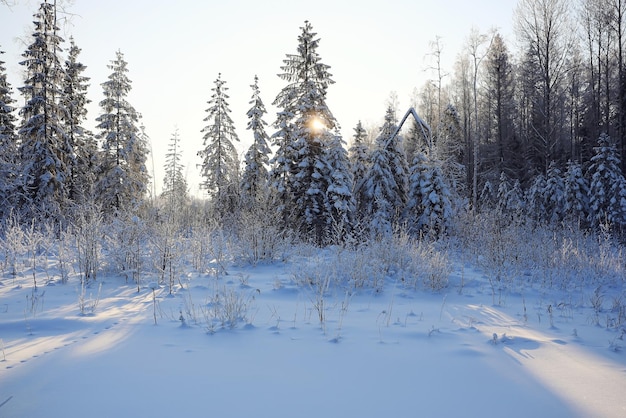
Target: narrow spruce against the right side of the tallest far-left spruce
pixel 74 102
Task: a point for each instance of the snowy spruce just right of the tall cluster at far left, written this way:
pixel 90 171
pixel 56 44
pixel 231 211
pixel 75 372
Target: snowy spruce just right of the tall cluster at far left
pixel 122 175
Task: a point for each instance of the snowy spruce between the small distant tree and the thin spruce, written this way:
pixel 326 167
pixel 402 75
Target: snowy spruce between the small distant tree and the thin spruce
pixel 220 165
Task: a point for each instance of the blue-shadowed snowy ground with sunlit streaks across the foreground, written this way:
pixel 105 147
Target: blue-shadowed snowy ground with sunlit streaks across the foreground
pixel 395 353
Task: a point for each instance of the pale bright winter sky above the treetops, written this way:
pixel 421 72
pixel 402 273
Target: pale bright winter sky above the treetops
pixel 175 50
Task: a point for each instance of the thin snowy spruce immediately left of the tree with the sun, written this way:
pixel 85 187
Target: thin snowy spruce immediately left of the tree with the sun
pixel 255 173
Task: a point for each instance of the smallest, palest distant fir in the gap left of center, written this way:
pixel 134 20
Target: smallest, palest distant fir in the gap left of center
pixel 174 183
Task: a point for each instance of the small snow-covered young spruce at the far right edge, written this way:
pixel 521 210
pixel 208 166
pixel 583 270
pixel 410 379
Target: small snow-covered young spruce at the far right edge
pixel 607 188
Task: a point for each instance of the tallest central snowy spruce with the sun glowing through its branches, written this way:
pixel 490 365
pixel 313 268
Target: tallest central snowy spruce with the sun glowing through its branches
pixel 304 122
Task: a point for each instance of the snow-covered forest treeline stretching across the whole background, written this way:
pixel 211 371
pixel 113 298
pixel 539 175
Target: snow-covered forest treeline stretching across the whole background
pixel 538 137
